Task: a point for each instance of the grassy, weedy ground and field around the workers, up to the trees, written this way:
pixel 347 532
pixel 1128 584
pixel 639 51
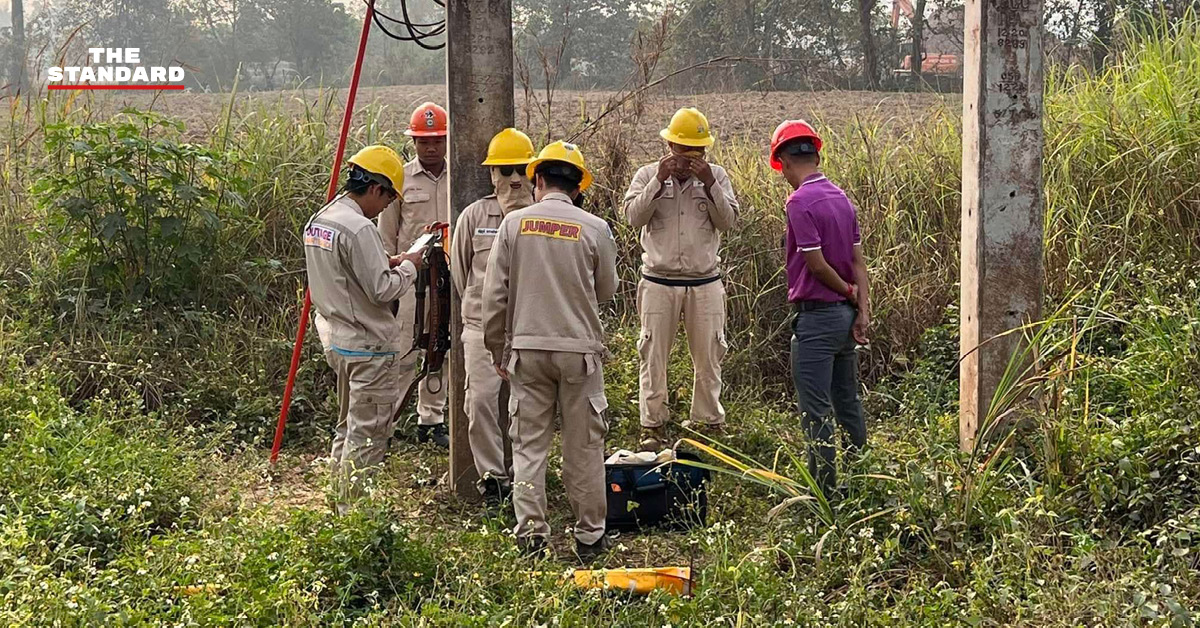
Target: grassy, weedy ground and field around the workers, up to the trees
pixel 149 278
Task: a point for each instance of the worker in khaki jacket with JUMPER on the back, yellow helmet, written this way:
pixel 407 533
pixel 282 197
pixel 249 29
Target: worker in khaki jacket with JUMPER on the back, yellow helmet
pixel 551 267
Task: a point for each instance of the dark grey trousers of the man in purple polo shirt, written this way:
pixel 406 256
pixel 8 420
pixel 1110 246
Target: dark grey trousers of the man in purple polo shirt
pixel 825 370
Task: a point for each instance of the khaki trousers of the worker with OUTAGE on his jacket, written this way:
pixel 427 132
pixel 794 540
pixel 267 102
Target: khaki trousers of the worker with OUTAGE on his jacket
pixel 367 398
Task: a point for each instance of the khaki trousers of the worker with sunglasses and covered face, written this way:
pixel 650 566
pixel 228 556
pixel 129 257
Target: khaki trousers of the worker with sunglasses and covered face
pixel 484 409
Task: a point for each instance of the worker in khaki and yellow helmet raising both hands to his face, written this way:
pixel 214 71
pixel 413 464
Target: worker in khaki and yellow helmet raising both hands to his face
pixel 682 205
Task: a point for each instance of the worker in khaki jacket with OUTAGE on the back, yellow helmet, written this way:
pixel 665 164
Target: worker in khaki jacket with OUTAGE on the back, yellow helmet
pixel 355 288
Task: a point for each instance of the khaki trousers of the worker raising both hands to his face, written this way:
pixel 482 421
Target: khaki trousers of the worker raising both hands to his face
pixel 704 319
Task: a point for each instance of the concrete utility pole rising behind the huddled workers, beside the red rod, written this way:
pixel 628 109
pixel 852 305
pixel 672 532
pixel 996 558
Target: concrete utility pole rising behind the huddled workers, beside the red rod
pixel 479 75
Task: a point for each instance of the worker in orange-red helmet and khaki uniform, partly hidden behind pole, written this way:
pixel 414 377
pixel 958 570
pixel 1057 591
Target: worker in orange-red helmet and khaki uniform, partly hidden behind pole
pixel 424 200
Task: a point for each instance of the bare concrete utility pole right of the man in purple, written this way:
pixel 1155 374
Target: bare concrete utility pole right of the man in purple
pixel 1003 213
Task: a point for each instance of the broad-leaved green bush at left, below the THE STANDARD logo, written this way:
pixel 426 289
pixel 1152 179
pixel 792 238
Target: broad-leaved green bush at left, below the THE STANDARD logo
pixel 134 207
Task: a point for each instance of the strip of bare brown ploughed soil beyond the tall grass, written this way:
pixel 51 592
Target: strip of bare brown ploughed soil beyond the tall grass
pixel 746 117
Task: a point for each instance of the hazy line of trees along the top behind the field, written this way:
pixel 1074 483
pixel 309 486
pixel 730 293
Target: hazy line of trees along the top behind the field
pixel 566 44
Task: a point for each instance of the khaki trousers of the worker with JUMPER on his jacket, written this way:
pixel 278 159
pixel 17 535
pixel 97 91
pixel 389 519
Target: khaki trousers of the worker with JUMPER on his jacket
pixel 572 384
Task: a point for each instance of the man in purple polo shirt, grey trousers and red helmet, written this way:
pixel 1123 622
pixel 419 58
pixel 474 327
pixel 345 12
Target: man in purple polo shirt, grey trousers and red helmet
pixel 827 286
